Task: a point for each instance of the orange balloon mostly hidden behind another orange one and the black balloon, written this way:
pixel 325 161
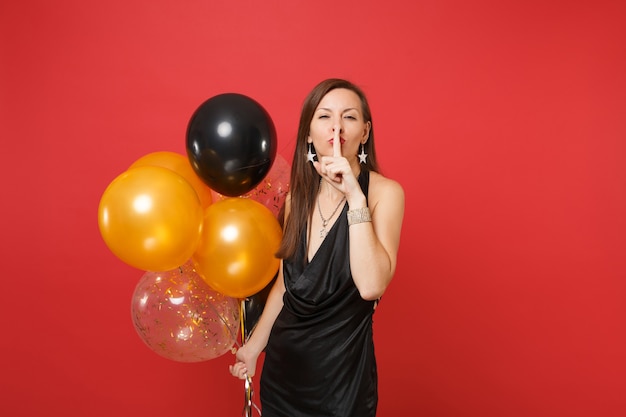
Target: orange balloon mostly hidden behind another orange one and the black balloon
pixel 180 165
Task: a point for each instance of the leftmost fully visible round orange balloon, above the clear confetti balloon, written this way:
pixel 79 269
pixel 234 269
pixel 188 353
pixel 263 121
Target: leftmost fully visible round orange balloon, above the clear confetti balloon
pixel 151 218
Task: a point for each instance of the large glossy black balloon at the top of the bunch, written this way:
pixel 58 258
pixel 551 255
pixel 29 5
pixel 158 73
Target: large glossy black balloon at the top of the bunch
pixel 231 143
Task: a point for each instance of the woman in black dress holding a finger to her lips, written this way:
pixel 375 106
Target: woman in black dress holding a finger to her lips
pixel 339 249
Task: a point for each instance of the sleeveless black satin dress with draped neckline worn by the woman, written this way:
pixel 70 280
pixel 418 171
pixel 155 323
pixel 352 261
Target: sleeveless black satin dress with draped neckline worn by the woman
pixel 320 355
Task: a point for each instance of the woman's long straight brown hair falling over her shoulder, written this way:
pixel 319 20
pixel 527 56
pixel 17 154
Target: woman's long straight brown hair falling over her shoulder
pixel 304 181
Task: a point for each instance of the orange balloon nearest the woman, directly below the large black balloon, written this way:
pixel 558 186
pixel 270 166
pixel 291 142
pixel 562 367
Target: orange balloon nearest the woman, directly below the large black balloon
pixel 235 255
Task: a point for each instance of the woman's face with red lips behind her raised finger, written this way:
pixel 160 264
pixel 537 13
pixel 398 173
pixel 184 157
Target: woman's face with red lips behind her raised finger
pixel 339 109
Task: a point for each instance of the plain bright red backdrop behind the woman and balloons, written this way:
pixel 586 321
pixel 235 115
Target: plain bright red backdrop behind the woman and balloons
pixel 504 121
